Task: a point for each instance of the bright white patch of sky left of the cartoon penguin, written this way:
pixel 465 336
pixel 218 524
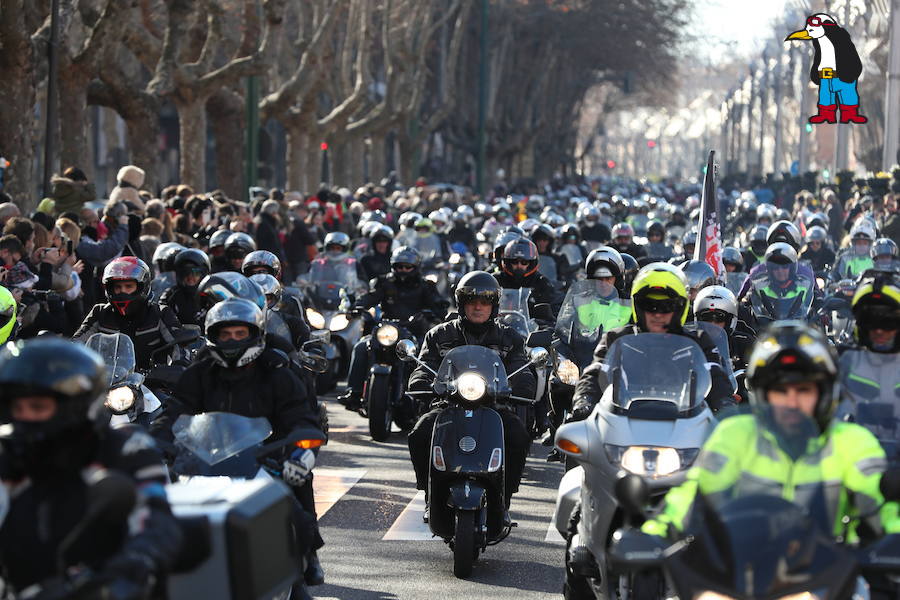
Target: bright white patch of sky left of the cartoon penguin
pixel 736 25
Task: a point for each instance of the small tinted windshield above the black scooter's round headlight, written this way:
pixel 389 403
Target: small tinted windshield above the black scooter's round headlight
pixel 463 361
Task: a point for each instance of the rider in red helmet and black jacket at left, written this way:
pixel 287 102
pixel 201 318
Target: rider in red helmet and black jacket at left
pixel 130 311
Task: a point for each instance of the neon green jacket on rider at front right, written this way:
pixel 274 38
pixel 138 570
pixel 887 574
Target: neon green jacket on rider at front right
pixel 741 459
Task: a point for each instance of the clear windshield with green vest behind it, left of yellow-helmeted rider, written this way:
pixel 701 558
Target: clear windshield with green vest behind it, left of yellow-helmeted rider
pixel 588 311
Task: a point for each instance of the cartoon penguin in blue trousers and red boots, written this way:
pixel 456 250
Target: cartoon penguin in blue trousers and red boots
pixel 835 69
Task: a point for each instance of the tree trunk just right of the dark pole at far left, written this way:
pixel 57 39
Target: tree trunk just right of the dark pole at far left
pixel 74 129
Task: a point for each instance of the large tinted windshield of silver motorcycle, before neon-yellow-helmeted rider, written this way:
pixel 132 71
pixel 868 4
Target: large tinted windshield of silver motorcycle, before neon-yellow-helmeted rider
pixel 679 375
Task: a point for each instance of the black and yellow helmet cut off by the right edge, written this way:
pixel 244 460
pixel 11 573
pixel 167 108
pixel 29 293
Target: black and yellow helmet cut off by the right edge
pixel 876 305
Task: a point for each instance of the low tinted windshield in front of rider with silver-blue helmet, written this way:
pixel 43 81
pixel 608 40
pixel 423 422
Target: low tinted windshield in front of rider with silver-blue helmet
pixel 215 437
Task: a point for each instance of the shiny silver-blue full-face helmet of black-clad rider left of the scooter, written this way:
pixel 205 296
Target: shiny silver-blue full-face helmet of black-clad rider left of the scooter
pixel 232 312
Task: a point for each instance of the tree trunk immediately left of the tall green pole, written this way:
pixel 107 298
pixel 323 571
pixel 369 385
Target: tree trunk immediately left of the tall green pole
pixel 227 121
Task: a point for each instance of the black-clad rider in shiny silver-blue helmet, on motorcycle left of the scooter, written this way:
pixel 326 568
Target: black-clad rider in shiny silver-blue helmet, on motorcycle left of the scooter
pixel 241 375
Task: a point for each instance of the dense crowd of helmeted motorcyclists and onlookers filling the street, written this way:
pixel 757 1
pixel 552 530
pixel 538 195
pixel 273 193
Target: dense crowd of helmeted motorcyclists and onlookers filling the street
pixel 231 307
